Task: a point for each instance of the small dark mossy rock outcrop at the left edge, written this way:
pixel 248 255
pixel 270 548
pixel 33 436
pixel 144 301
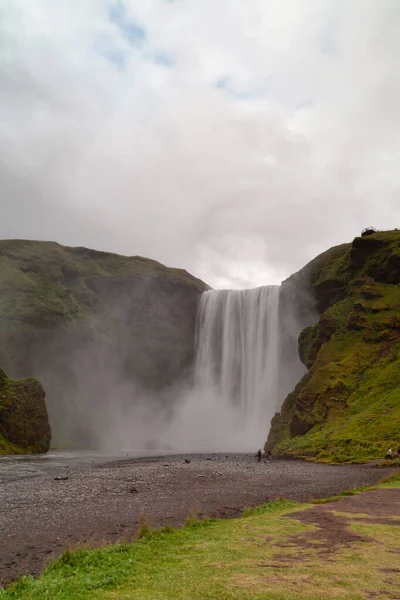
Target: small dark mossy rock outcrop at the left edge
pixel 24 424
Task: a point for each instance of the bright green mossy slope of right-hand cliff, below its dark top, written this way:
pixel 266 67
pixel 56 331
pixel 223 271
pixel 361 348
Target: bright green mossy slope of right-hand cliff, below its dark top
pixel 347 407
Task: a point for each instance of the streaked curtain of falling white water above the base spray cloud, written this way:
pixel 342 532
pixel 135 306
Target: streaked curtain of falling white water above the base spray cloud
pixel 237 357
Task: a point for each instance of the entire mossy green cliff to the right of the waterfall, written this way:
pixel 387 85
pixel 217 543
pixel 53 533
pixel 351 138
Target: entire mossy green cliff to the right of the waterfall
pixel 347 406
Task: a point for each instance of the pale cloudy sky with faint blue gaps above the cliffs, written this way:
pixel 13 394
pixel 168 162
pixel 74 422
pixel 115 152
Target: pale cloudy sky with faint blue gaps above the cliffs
pixel 235 139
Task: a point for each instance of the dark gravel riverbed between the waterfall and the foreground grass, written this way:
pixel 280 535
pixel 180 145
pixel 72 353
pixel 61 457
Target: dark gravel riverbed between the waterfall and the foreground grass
pixel 39 516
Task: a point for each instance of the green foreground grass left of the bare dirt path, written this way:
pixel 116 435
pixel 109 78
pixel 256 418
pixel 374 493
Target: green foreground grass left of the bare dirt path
pixel 185 563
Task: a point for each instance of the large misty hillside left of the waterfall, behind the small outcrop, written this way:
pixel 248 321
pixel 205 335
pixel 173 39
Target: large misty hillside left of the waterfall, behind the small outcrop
pixel 93 326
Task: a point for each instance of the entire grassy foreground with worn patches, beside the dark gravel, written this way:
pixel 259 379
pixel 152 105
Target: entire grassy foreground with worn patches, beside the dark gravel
pixel 255 557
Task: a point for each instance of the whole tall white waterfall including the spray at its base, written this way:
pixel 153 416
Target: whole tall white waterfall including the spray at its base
pixel 246 363
